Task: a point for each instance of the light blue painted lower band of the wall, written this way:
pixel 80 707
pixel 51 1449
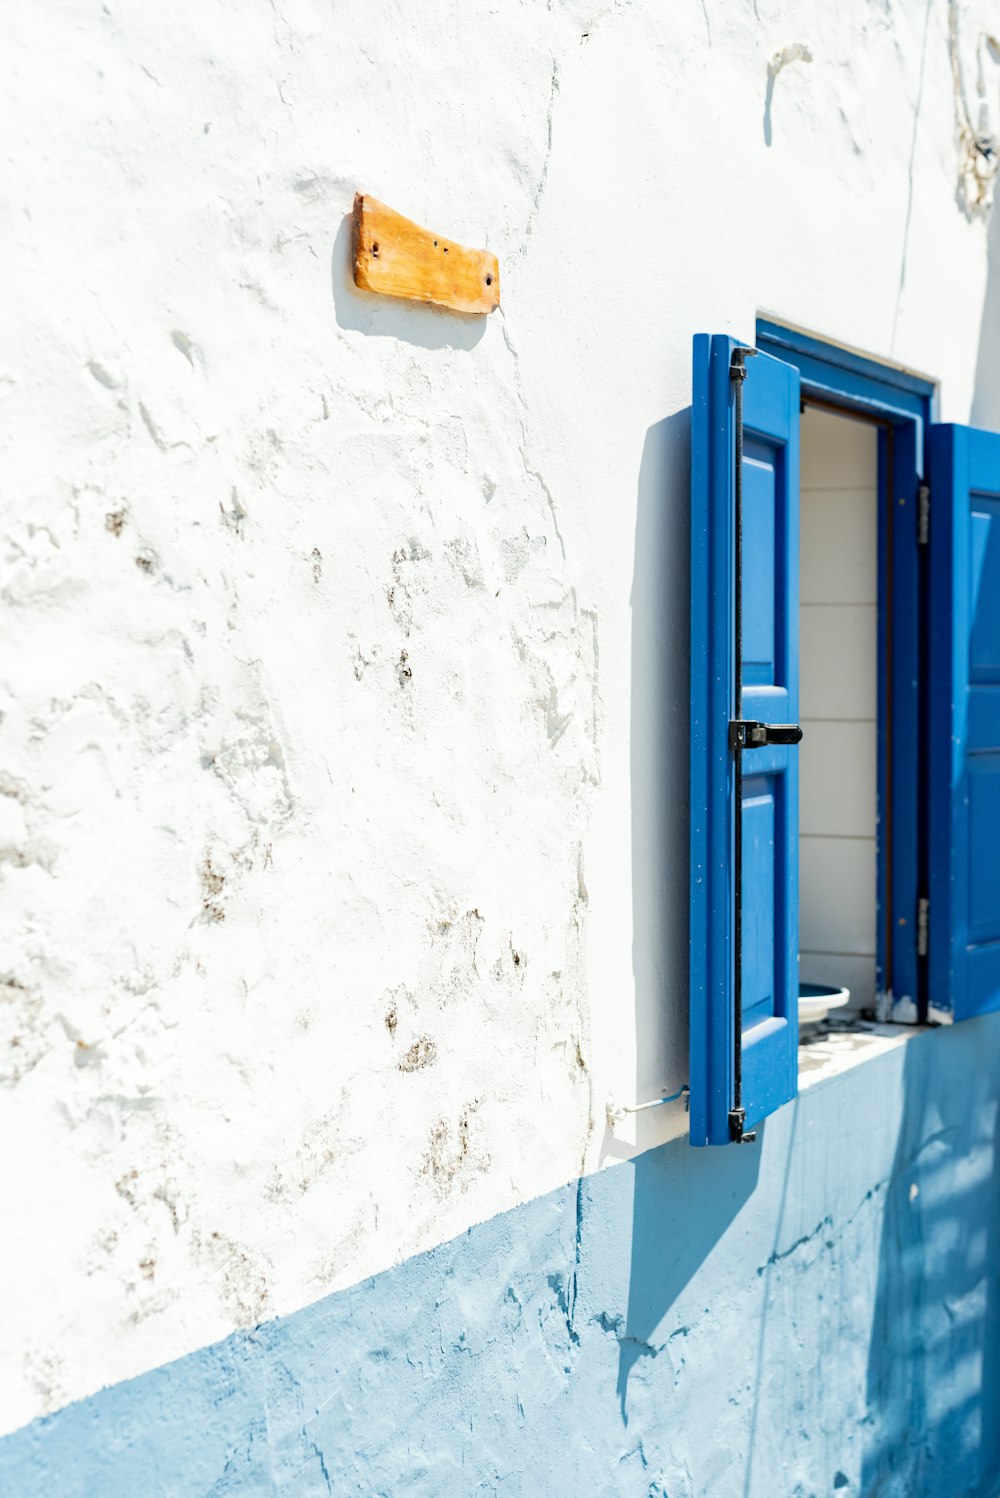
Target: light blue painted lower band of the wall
pixel 818 1314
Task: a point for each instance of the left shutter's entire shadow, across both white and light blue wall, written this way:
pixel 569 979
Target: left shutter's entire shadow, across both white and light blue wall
pixel 715 1184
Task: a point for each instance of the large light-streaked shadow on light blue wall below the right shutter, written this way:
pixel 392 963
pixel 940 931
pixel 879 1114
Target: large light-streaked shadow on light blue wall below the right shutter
pixel 933 1383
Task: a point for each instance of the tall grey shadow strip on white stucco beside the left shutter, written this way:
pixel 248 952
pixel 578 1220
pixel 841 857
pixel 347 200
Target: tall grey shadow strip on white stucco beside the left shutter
pixel 659 757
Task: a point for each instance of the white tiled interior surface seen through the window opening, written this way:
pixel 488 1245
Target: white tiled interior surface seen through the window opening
pixel 839 652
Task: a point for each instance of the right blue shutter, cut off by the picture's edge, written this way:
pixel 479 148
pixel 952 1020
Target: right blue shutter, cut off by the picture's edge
pixel 965 723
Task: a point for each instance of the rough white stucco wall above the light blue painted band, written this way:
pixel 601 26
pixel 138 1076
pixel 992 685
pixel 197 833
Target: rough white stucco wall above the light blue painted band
pixel 345 679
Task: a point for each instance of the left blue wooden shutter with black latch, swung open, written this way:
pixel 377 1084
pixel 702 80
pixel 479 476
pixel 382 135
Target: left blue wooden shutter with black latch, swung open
pixel 770 786
